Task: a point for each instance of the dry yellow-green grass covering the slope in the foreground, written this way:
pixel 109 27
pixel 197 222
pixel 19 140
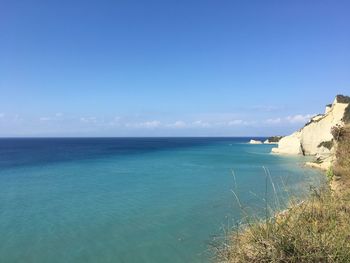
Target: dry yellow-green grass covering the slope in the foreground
pixel 317 230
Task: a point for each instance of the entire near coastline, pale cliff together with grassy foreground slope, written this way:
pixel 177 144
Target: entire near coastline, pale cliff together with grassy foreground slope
pixel 316 228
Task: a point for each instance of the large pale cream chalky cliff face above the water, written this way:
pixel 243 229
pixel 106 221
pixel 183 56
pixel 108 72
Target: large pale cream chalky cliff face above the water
pixel 313 138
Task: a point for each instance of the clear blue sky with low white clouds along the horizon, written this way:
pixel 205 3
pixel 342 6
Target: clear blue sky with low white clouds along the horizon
pixel 169 68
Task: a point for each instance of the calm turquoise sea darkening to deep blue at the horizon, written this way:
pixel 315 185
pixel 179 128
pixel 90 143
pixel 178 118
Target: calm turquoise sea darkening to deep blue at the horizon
pixel 130 200
